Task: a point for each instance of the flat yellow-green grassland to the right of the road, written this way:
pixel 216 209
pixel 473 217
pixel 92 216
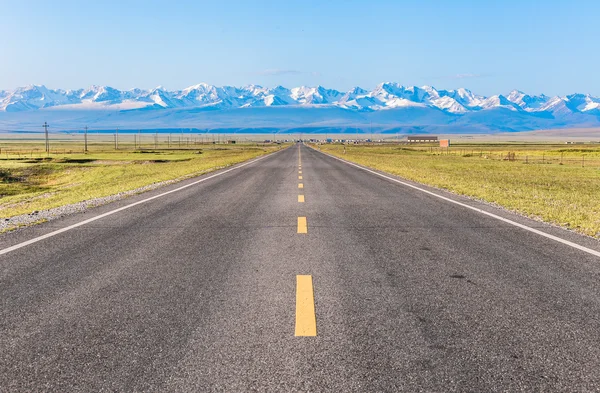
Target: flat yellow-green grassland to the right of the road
pixel 559 184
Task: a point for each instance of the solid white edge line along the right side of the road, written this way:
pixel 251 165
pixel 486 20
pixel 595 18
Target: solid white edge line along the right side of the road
pixel 506 220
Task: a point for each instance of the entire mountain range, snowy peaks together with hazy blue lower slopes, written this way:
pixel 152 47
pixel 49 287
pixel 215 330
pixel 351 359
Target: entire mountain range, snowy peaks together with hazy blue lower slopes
pixel 388 103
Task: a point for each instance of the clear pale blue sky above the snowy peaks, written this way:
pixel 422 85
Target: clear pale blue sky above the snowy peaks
pixel 550 47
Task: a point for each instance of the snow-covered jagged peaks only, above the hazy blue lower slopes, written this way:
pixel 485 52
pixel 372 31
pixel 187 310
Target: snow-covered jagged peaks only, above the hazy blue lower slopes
pixel 384 96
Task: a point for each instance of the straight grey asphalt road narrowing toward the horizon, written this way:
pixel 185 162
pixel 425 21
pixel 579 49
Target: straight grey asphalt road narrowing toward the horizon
pixel 196 291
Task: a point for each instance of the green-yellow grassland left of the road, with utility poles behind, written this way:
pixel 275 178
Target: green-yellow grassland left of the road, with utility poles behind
pixel 32 180
